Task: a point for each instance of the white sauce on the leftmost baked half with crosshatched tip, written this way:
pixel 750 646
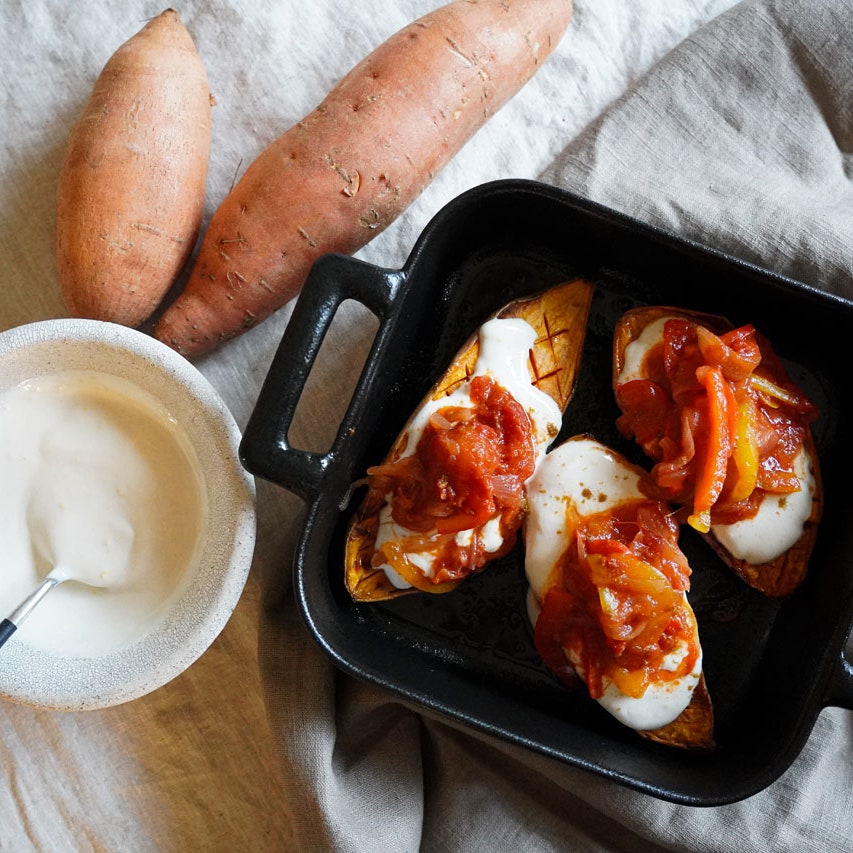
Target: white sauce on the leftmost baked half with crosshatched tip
pixel 504 355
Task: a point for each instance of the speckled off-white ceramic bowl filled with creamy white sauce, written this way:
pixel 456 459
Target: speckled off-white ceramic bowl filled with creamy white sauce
pixel 117 455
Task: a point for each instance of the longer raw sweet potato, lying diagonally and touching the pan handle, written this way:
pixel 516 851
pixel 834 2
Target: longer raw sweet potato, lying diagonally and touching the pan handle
pixel 342 174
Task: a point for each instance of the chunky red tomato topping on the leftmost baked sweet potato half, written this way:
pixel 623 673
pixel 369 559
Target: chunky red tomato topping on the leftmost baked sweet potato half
pixel 469 466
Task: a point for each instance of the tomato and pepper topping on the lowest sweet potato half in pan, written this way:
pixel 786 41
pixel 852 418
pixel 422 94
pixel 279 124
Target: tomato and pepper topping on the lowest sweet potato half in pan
pixel 617 612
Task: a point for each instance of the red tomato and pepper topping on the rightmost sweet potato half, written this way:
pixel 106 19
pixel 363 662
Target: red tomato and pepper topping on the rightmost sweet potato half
pixel 720 417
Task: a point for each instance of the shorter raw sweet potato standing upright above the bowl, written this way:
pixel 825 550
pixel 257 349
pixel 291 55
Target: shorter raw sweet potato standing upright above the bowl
pixel 131 190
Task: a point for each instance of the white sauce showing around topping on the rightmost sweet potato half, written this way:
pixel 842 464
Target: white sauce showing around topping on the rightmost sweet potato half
pixel 780 518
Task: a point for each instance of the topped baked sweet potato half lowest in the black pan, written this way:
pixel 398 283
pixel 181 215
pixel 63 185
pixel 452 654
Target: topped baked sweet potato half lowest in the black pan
pixel 608 593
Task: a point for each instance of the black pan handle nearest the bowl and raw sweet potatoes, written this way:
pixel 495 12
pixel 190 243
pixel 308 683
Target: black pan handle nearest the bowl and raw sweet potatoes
pixel 265 449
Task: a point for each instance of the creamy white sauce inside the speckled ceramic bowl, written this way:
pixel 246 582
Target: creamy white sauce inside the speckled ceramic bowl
pixel 98 480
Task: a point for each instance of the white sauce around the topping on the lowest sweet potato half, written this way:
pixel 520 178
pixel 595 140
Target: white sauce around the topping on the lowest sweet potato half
pixel 594 479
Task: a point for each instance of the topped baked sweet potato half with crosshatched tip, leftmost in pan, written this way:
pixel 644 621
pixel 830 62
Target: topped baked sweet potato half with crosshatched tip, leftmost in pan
pixel 449 496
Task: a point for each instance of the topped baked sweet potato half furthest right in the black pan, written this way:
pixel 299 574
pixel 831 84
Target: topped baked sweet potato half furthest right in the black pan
pixel 729 434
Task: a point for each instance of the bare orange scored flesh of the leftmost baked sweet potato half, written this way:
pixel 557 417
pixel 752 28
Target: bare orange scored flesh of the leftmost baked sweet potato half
pixel 559 317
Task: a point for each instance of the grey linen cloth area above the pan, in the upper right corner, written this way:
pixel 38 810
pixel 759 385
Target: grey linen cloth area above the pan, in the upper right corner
pixel 738 139
